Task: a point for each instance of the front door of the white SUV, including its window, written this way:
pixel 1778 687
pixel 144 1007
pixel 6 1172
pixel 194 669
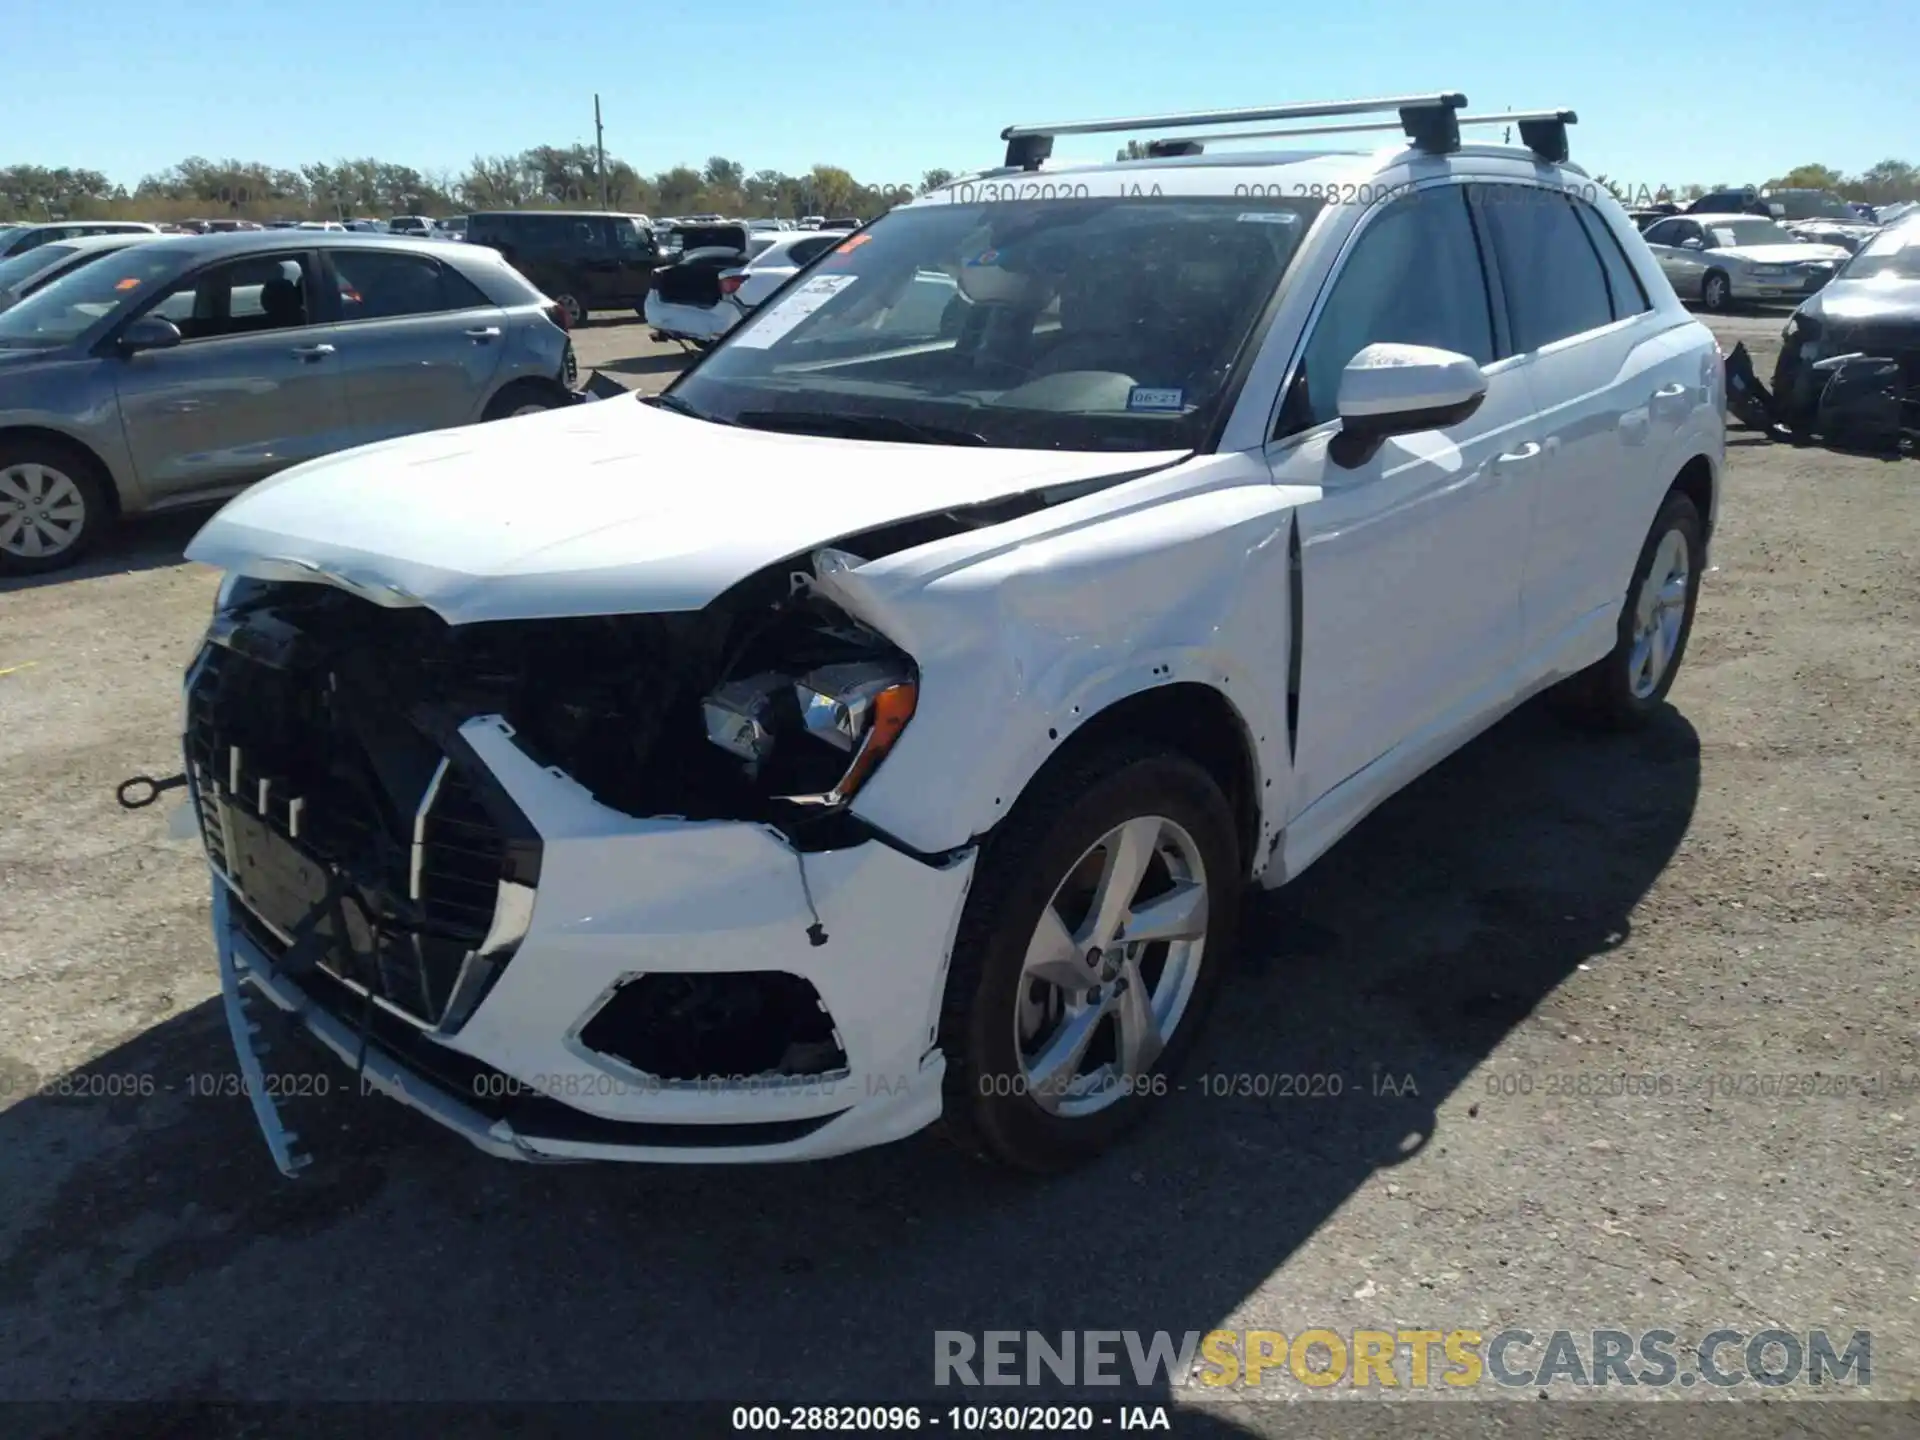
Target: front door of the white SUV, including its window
pixel 1410 565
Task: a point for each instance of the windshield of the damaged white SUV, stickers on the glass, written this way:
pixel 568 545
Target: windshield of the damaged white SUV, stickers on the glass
pixel 1086 324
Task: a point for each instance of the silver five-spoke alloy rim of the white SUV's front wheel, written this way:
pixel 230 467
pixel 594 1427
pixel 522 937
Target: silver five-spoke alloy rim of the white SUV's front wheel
pixel 1113 967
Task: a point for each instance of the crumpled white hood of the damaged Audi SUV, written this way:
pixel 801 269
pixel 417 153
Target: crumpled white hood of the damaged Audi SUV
pixel 610 508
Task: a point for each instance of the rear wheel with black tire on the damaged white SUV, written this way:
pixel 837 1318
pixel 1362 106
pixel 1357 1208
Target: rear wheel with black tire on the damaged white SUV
pixel 1625 690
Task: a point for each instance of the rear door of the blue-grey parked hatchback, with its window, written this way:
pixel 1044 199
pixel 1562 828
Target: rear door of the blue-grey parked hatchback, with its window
pixel 420 345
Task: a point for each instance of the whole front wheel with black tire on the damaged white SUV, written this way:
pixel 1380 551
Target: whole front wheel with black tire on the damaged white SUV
pixel 1093 942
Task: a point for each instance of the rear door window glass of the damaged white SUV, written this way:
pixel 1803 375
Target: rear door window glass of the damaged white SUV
pixel 1548 268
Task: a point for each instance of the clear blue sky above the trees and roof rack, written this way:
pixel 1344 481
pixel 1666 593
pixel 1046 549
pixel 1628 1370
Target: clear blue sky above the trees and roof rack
pixel 1668 93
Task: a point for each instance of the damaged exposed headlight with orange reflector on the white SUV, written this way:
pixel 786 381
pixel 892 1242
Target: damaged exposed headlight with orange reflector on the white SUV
pixel 815 736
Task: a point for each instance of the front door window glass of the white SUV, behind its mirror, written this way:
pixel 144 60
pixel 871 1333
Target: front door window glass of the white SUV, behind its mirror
pixel 1414 277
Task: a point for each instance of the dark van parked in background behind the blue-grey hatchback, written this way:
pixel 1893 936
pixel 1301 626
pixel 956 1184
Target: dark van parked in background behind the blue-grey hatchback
pixel 587 260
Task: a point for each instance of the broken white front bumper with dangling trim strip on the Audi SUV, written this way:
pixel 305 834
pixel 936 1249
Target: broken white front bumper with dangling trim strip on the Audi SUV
pixel 621 900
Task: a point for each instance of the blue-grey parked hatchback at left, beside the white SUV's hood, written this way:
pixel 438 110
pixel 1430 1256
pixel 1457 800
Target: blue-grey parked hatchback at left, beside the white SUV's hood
pixel 183 370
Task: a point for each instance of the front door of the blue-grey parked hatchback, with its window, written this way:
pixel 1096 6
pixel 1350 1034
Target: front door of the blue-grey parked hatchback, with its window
pixel 252 389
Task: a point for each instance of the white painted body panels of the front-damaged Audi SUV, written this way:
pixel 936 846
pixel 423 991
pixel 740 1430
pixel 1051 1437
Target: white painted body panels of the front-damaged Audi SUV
pixel 1443 583
